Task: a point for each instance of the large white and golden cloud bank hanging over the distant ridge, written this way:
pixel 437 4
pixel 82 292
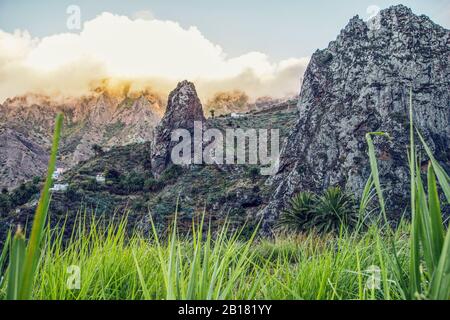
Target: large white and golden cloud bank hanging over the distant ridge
pixel 147 53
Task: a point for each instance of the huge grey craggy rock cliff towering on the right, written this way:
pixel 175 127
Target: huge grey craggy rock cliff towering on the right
pixel 360 84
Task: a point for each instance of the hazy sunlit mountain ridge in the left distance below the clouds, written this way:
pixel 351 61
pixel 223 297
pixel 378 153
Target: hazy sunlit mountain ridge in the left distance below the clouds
pixel 104 119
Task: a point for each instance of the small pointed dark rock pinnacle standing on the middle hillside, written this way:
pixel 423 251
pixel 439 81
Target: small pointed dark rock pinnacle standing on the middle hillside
pixel 183 109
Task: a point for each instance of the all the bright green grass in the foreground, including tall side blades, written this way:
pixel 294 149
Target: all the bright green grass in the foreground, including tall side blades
pixel 377 262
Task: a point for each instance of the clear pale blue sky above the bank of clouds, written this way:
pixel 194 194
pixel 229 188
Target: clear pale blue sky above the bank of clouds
pixel 281 28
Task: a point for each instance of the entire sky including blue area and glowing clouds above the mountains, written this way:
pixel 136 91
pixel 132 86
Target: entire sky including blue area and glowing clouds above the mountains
pixel 257 46
